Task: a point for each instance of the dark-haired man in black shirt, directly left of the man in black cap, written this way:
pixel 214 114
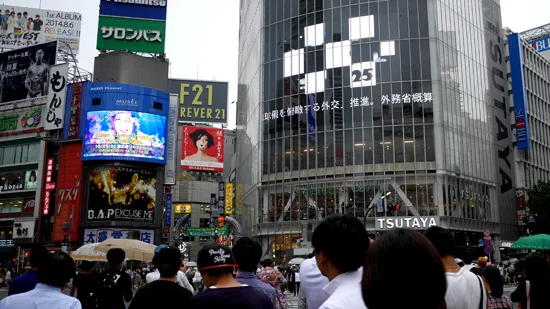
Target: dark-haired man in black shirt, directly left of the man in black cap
pixel 165 292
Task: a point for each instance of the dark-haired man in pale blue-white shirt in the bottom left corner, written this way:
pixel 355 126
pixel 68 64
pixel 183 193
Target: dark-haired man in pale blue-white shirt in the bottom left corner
pixel 52 279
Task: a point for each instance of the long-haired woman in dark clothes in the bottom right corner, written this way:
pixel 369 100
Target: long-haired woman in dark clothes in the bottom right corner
pixel 534 292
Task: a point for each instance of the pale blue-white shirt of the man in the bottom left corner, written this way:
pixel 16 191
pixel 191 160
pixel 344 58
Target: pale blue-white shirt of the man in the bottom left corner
pixel 42 297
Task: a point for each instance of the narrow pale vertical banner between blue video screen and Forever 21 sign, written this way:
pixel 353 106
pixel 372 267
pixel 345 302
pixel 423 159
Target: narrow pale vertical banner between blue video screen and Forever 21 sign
pixel 171 141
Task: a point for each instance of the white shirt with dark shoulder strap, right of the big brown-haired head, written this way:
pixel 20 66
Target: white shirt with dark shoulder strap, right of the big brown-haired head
pixel 463 291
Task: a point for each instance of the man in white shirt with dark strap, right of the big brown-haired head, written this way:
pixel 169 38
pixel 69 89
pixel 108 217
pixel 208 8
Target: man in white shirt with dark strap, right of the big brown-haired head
pixel 465 290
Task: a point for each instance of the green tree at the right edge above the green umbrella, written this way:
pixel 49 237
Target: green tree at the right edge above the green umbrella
pixel 538 205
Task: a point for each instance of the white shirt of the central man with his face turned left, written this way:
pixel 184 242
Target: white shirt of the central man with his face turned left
pixel 344 292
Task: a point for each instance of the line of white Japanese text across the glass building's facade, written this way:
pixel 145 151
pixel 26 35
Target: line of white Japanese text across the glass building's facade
pixel 407 98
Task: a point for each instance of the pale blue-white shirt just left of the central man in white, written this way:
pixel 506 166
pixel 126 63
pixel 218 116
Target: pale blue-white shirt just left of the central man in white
pixel 312 284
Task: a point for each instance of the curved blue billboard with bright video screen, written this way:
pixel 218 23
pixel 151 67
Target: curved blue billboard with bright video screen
pixel 121 122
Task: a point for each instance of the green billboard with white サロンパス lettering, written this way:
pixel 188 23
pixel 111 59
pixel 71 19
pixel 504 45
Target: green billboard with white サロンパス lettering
pixel 135 35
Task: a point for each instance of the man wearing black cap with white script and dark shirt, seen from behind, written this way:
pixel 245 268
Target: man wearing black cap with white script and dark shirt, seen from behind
pixel 216 264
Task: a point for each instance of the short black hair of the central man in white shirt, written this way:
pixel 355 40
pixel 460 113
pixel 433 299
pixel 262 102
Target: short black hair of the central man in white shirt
pixel 343 240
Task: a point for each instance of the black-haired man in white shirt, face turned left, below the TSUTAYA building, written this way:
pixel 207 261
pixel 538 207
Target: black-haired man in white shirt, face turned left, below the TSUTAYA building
pixel 341 243
